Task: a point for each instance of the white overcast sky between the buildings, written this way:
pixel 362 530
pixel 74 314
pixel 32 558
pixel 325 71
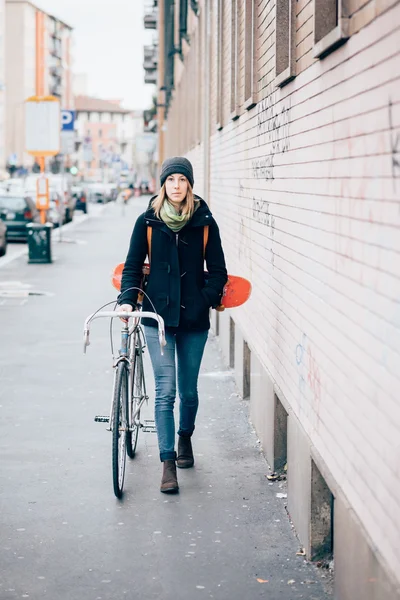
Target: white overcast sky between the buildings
pixel 108 46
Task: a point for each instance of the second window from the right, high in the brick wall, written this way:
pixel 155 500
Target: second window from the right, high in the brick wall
pixel 285 59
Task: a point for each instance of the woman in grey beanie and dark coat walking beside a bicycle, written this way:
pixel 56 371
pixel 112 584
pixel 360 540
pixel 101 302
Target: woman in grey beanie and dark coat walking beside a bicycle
pixel 177 288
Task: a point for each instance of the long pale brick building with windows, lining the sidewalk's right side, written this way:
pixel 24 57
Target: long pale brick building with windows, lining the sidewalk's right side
pixel 290 113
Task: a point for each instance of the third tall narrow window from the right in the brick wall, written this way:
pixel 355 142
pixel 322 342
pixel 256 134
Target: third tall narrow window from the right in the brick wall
pixel 250 64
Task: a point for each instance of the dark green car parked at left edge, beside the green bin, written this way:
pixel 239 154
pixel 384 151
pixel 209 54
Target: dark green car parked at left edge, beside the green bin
pixel 19 211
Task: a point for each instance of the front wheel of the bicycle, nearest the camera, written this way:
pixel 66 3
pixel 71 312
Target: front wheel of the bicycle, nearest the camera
pixel 119 427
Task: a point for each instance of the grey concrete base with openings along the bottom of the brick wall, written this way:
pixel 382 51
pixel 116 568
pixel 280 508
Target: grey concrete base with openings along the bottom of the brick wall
pixel 359 574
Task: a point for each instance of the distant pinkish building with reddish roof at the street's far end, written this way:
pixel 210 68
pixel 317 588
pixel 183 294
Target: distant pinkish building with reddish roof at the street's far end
pixel 106 135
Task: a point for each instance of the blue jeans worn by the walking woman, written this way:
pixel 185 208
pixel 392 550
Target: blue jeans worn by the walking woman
pixel 185 351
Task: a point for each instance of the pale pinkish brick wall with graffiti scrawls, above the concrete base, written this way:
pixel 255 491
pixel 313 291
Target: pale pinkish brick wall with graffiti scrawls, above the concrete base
pixel 305 187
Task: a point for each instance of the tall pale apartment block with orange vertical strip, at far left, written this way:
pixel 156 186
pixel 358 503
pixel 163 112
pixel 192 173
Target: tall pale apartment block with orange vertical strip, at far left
pixel 39 62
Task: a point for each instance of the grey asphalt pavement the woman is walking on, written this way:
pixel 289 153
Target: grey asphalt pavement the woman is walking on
pixel 64 536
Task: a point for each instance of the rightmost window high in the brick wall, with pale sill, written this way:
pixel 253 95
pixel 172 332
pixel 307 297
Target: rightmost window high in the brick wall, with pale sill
pixel 330 26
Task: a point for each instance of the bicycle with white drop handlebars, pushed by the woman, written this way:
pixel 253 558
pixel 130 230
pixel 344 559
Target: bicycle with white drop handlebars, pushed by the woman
pixel 129 389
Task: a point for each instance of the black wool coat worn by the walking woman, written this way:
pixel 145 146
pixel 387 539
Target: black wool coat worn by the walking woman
pixel 177 285
